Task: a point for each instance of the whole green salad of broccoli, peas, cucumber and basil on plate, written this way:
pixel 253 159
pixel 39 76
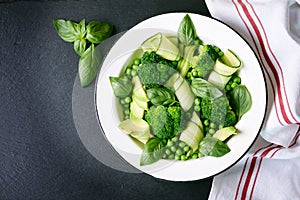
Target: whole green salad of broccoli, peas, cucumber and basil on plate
pixel 181 97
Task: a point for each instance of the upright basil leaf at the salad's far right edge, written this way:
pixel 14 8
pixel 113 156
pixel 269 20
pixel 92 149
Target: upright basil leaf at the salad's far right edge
pixel 240 99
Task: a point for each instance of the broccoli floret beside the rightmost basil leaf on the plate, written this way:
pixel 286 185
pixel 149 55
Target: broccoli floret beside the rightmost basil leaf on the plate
pixel 218 111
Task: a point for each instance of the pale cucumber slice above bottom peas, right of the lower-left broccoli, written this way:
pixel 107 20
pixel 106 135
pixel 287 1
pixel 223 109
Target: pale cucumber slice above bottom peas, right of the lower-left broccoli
pixel 192 135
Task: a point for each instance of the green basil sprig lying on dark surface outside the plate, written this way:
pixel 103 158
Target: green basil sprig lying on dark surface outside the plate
pixel 85 38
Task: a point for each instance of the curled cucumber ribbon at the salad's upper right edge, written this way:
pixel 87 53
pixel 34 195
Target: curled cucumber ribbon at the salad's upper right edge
pixel 228 64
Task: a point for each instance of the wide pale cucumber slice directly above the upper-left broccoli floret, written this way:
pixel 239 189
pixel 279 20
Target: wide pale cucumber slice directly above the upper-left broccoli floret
pixel 167 49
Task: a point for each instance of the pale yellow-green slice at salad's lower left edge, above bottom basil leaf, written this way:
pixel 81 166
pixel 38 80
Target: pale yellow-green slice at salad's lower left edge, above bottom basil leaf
pixel 137 128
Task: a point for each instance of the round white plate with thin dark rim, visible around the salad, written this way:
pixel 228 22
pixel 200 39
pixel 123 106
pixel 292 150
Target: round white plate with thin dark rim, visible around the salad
pixel 210 31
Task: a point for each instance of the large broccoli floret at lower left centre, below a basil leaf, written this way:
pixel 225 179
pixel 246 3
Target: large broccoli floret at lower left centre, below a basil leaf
pixel 165 122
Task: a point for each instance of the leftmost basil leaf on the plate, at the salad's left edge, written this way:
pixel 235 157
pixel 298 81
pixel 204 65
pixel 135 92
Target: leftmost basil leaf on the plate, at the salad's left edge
pixel 122 86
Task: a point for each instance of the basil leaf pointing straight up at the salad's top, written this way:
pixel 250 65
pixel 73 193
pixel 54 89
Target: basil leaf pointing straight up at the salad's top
pixel 186 31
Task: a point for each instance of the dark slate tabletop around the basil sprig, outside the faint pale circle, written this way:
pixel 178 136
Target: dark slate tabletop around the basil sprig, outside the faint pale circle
pixel 41 155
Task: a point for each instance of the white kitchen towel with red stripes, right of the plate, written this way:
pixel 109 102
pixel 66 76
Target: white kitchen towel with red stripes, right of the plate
pixel 270 170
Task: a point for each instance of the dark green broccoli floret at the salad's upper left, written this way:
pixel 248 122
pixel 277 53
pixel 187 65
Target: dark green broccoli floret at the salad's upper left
pixel 154 70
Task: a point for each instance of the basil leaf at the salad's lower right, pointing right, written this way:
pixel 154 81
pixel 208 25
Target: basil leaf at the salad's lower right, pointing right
pixel 211 146
